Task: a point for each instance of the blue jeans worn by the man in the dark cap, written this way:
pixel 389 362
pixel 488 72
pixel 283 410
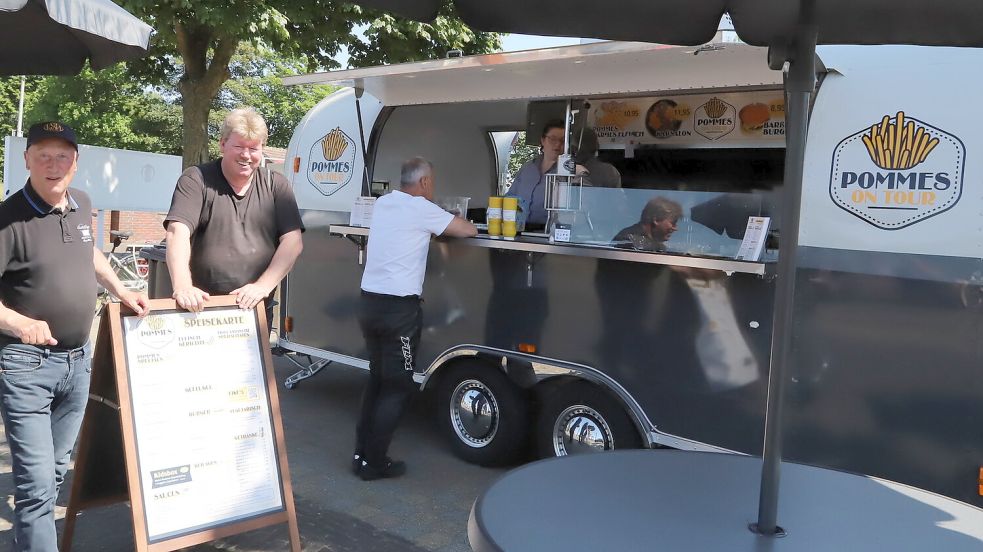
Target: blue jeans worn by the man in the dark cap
pixel 42 398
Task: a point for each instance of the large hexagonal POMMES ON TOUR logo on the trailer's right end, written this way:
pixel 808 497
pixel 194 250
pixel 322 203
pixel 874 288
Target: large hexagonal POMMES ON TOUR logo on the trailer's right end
pixel 897 172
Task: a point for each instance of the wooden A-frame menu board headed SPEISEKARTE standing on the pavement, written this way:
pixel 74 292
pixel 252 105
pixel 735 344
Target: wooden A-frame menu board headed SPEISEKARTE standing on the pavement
pixel 200 430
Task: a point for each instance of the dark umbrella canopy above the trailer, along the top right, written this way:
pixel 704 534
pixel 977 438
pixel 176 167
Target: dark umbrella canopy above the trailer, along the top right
pixel 691 22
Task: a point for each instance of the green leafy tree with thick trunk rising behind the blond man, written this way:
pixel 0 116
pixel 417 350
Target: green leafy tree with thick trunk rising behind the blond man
pixel 197 39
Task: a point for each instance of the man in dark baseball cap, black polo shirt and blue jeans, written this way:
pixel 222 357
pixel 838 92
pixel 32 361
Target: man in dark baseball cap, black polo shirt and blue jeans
pixel 48 273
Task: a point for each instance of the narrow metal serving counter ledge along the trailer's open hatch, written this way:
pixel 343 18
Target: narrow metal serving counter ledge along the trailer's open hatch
pixel 543 245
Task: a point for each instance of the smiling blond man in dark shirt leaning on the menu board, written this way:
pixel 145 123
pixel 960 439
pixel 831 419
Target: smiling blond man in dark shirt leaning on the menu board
pixel 233 227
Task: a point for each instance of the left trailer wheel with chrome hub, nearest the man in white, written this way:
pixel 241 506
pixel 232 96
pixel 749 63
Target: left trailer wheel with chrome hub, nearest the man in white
pixel 482 413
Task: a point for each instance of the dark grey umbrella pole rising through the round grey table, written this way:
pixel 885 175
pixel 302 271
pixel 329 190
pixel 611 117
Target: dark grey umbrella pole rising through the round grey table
pixel 800 84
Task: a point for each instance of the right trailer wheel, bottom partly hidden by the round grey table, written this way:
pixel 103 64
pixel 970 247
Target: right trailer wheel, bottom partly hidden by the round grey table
pixel 577 417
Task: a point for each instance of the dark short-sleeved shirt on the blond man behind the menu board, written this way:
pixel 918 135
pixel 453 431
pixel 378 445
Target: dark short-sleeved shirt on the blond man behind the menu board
pixel 233 238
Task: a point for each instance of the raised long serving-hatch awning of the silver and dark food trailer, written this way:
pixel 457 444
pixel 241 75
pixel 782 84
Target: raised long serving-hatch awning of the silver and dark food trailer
pixel 587 70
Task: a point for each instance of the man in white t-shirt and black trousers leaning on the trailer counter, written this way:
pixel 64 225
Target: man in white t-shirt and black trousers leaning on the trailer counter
pixel 390 314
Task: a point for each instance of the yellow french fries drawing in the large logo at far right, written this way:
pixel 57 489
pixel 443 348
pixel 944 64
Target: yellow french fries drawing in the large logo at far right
pixel 896 144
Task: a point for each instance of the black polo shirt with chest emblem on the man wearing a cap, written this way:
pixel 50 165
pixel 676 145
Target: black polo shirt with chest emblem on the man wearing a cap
pixel 46 269
